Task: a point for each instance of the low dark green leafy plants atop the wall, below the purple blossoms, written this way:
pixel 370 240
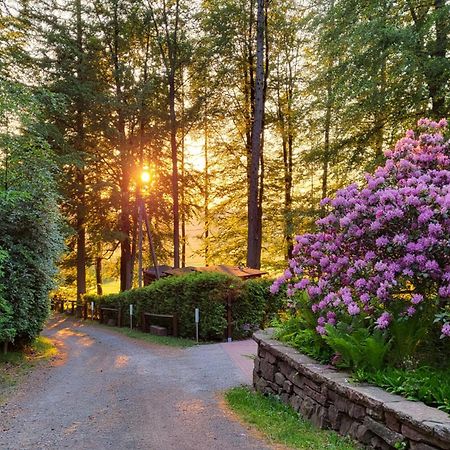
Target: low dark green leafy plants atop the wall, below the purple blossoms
pixel 427 384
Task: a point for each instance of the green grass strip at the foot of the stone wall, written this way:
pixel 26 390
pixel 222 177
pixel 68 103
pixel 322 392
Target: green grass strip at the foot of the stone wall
pixel 280 424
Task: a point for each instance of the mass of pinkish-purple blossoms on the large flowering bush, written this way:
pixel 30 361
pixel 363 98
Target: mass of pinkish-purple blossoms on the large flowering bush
pixel 385 242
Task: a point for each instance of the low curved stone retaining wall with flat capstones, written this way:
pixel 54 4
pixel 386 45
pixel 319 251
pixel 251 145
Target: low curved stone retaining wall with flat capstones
pixel 325 396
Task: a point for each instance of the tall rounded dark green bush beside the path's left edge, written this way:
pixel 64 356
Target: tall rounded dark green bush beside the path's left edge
pixel 29 225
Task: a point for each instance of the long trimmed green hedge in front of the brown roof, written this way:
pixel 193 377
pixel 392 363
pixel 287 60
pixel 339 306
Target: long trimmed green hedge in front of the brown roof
pixel 252 304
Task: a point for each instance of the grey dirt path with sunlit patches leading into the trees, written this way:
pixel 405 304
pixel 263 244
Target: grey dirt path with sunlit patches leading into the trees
pixel 110 392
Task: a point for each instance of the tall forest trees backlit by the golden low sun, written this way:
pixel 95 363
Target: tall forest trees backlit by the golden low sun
pixel 242 115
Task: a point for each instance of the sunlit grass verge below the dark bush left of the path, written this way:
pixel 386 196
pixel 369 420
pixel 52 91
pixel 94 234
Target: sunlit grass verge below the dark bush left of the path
pixel 17 364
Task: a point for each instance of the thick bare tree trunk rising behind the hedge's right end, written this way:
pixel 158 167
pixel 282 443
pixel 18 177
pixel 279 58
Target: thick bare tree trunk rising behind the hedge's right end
pixel 254 238
